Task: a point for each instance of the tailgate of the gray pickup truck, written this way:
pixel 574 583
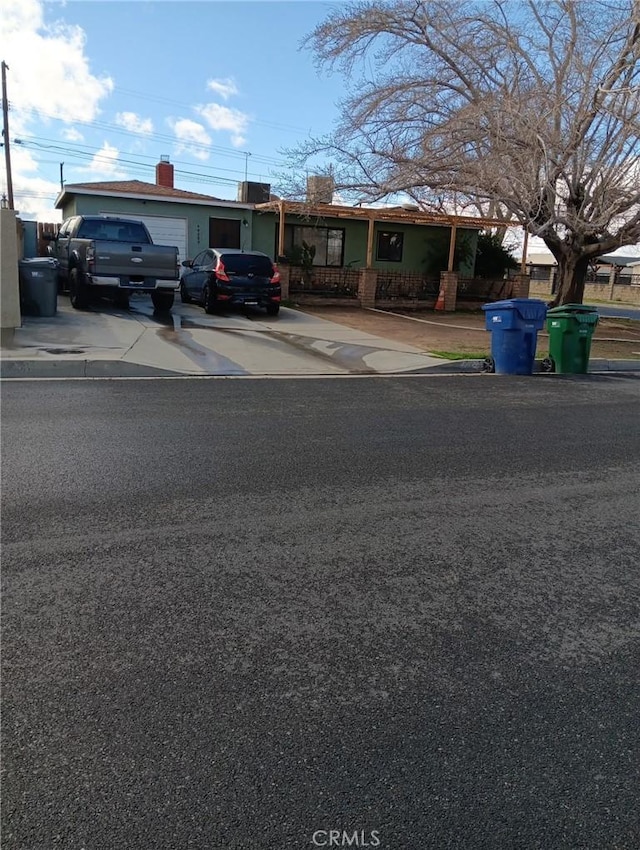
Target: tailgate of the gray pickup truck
pixel 123 259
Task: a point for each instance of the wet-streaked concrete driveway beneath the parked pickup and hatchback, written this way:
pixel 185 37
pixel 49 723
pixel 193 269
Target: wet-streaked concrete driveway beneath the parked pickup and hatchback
pixel 107 341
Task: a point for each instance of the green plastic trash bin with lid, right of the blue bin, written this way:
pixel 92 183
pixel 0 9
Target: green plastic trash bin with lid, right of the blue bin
pixel 571 329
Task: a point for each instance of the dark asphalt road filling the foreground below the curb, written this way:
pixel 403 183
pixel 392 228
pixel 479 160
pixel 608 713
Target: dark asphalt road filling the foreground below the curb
pixel 241 614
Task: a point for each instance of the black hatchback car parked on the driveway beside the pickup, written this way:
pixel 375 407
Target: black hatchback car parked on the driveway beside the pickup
pixel 219 277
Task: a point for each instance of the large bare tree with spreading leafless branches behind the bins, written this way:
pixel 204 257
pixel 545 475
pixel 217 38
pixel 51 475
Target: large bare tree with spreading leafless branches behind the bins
pixel 532 108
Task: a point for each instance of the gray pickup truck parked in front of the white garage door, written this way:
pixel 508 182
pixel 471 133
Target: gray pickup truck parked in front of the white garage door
pixel 113 256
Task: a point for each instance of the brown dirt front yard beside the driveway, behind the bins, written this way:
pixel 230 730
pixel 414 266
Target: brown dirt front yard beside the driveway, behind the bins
pixel 464 333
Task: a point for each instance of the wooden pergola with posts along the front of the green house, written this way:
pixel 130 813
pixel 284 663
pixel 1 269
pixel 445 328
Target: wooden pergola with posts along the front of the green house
pixel 393 215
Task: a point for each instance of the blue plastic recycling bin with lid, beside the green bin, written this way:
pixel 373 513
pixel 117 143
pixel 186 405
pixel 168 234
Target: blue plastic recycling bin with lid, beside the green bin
pixel 514 326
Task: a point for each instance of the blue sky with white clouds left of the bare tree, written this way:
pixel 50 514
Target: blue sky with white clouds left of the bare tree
pixel 107 87
